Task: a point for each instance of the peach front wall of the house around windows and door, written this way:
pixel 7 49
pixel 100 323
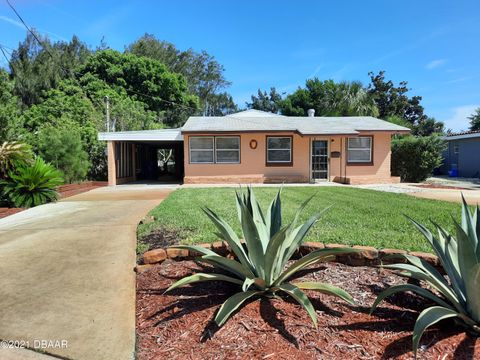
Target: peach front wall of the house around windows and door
pixel 253 168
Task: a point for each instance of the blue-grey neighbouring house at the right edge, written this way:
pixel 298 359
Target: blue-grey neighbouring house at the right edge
pixel 462 154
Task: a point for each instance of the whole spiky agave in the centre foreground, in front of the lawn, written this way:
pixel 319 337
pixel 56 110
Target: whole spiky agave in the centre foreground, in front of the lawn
pixel 261 268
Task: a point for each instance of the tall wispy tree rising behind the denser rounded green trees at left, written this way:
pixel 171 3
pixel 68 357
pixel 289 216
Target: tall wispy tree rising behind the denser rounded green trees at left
pixel 204 75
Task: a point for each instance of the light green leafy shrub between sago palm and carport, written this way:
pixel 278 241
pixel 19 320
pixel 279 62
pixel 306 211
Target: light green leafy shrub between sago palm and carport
pixel 62 147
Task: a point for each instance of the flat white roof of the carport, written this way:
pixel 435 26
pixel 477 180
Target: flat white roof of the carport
pixel 143 135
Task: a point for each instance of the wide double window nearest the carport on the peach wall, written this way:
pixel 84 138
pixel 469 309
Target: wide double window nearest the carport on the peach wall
pixel 214 149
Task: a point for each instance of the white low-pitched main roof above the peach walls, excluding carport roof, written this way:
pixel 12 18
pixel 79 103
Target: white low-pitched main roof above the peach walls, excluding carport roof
pixel 256 121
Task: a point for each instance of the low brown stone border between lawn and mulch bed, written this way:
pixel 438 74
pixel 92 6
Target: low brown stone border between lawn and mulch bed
pixel 368 256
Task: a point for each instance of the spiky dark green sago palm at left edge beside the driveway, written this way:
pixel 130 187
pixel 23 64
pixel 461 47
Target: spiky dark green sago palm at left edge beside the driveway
pixel 32 185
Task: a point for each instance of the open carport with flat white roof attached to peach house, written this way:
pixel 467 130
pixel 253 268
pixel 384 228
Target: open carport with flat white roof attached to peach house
pixel 153 156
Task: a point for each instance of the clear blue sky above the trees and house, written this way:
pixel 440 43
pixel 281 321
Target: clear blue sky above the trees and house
pixel 434 45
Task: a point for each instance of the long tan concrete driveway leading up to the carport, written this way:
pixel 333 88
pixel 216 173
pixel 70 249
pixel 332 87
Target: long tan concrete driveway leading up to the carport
pixel 67 285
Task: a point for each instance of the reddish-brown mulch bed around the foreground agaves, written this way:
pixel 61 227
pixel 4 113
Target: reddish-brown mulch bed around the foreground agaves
pixel 179 325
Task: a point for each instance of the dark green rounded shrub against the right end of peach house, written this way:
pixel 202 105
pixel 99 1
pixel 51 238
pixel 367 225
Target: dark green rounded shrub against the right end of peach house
pixel 415 158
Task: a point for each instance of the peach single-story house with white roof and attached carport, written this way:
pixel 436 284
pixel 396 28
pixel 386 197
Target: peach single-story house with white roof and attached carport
pixel 258 147
